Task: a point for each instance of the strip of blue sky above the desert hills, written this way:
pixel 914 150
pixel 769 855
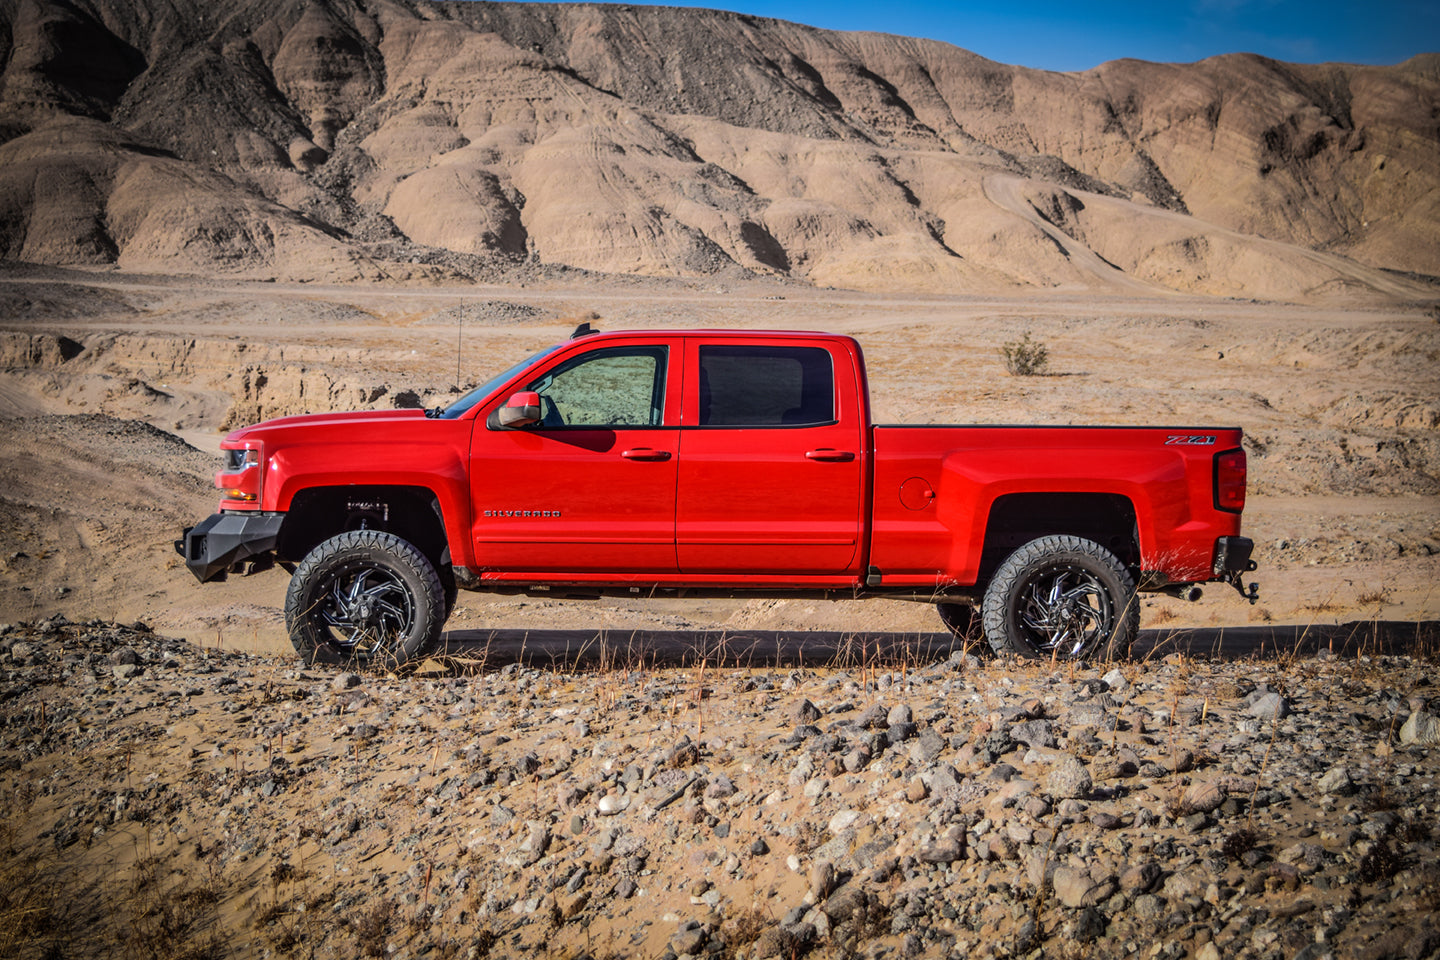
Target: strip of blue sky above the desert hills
pixel 1079 35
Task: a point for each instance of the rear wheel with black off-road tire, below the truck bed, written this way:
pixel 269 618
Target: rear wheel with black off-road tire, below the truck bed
pixel 1062 598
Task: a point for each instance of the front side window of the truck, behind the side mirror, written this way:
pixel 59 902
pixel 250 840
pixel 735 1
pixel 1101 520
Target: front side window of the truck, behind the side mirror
pixel 621 386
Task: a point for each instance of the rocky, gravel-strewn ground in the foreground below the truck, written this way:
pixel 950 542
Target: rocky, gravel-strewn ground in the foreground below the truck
pixel 165 800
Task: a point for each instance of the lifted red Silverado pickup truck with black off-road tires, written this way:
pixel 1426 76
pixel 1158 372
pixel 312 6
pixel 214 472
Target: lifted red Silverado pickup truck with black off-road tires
pixel 719 464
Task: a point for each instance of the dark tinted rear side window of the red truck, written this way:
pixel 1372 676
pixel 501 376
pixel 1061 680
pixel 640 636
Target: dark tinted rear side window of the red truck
pixel 767 386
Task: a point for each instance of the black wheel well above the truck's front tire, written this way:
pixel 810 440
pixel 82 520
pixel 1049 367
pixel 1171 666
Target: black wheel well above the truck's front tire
pixel 411 513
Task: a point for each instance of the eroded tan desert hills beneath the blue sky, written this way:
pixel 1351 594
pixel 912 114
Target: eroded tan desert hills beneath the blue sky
pixel 397 139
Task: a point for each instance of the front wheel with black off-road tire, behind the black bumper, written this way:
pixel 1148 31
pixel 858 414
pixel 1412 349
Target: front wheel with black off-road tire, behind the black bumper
pixel 365 597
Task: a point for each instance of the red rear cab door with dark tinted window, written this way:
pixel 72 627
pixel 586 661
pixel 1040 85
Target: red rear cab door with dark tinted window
pixel 773 458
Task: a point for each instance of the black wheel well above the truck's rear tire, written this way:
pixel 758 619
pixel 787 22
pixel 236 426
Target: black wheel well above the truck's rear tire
pixel 1017 519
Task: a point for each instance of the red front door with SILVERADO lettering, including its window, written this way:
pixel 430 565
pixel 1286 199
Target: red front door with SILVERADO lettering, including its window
pixel 593 487
